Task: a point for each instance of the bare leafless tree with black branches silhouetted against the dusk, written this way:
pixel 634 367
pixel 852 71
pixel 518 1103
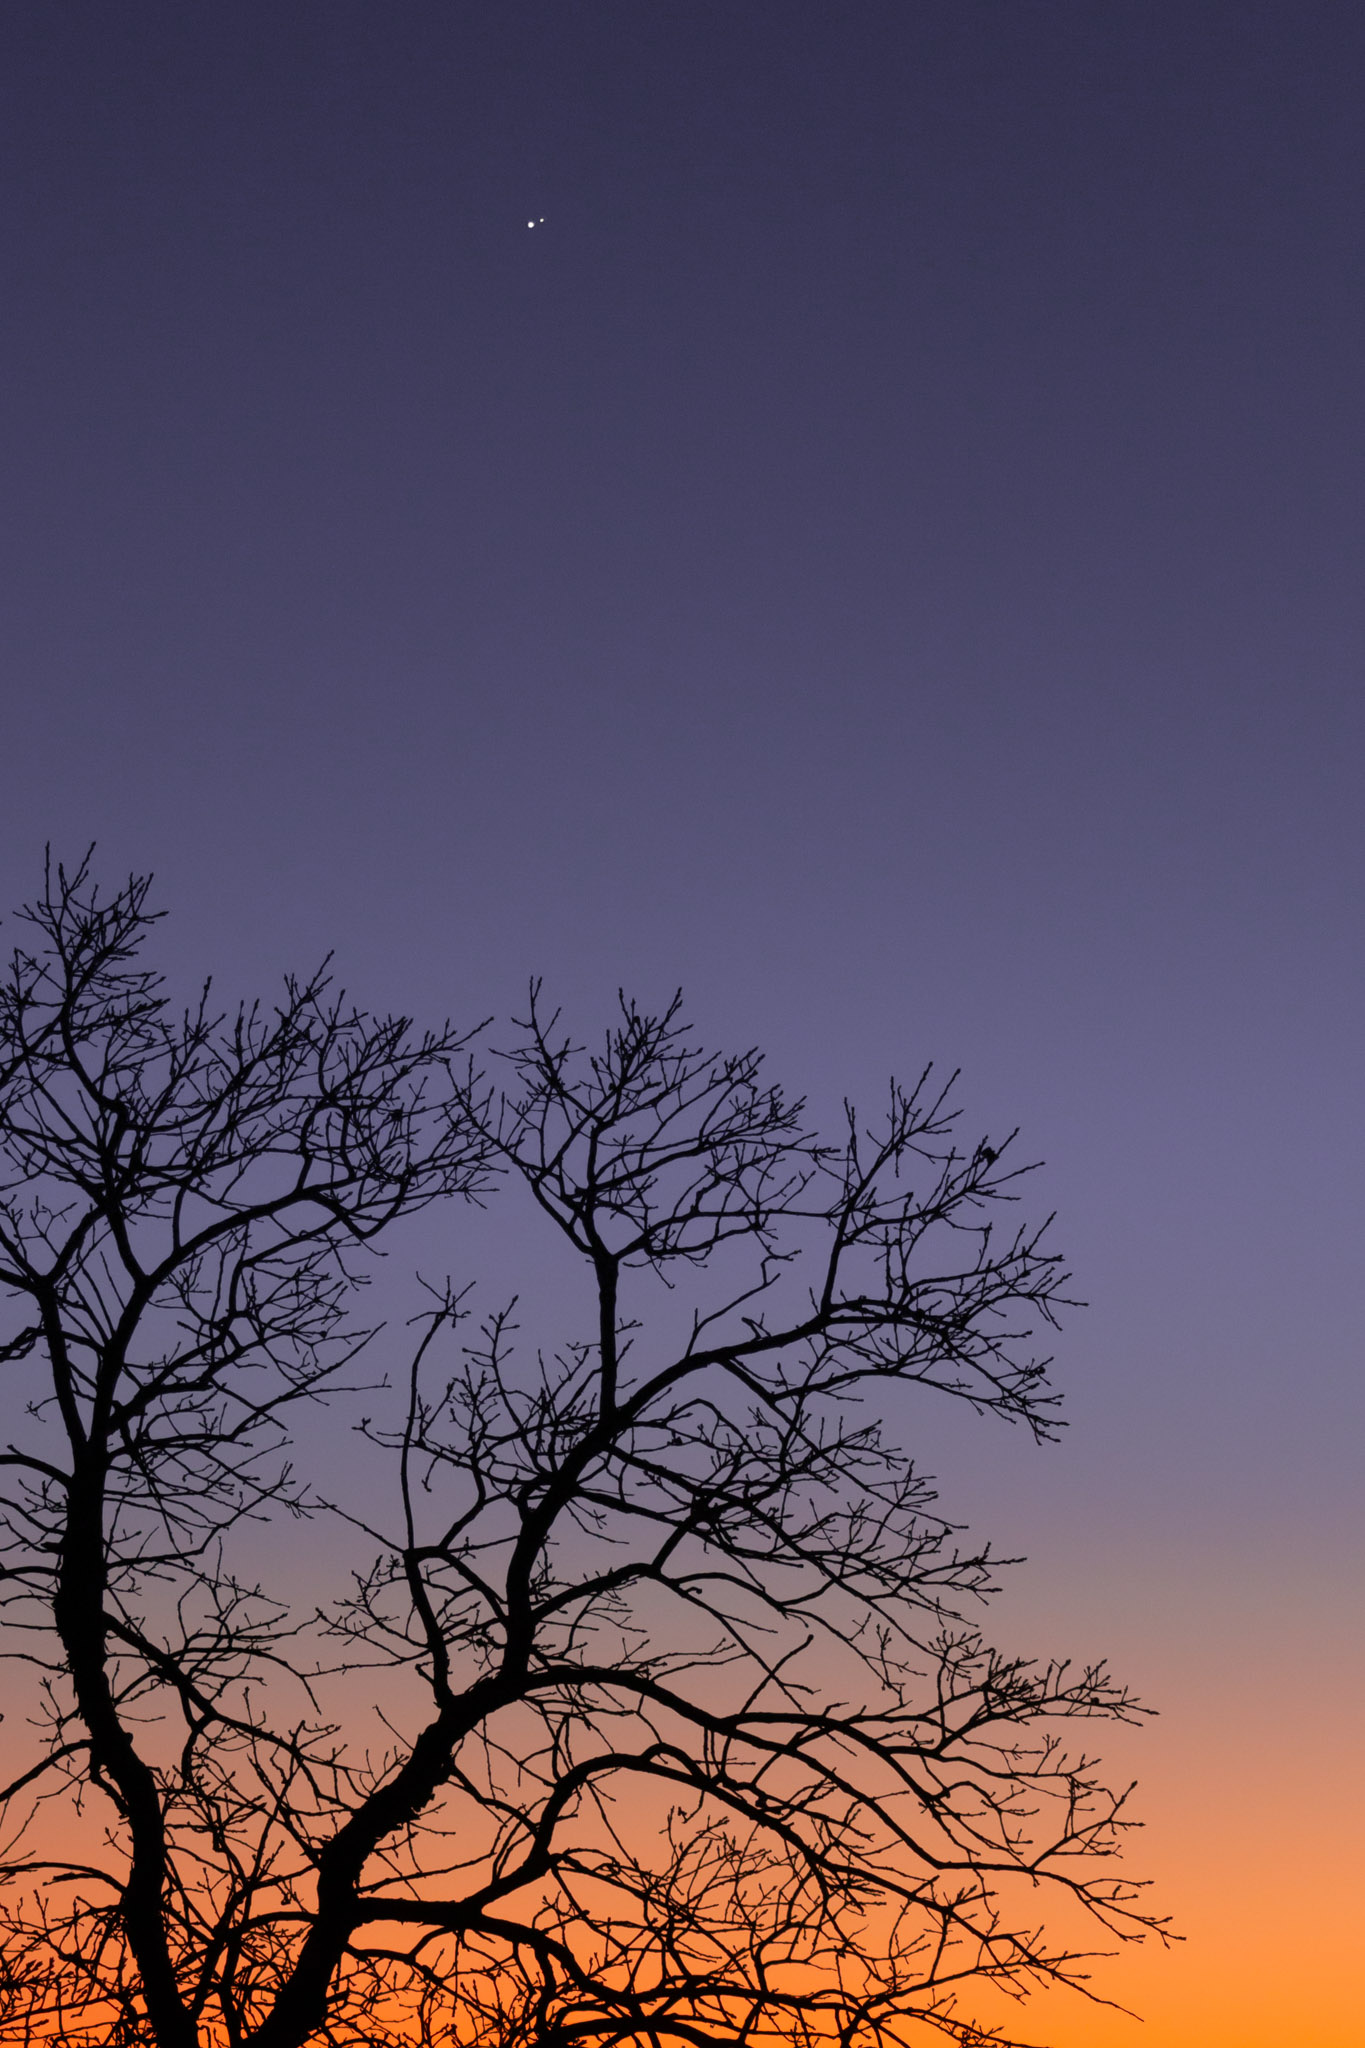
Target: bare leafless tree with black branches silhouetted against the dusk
pixel 691 1736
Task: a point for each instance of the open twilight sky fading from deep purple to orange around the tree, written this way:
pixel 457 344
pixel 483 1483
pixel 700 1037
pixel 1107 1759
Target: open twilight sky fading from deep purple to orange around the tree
pixel 881 552
